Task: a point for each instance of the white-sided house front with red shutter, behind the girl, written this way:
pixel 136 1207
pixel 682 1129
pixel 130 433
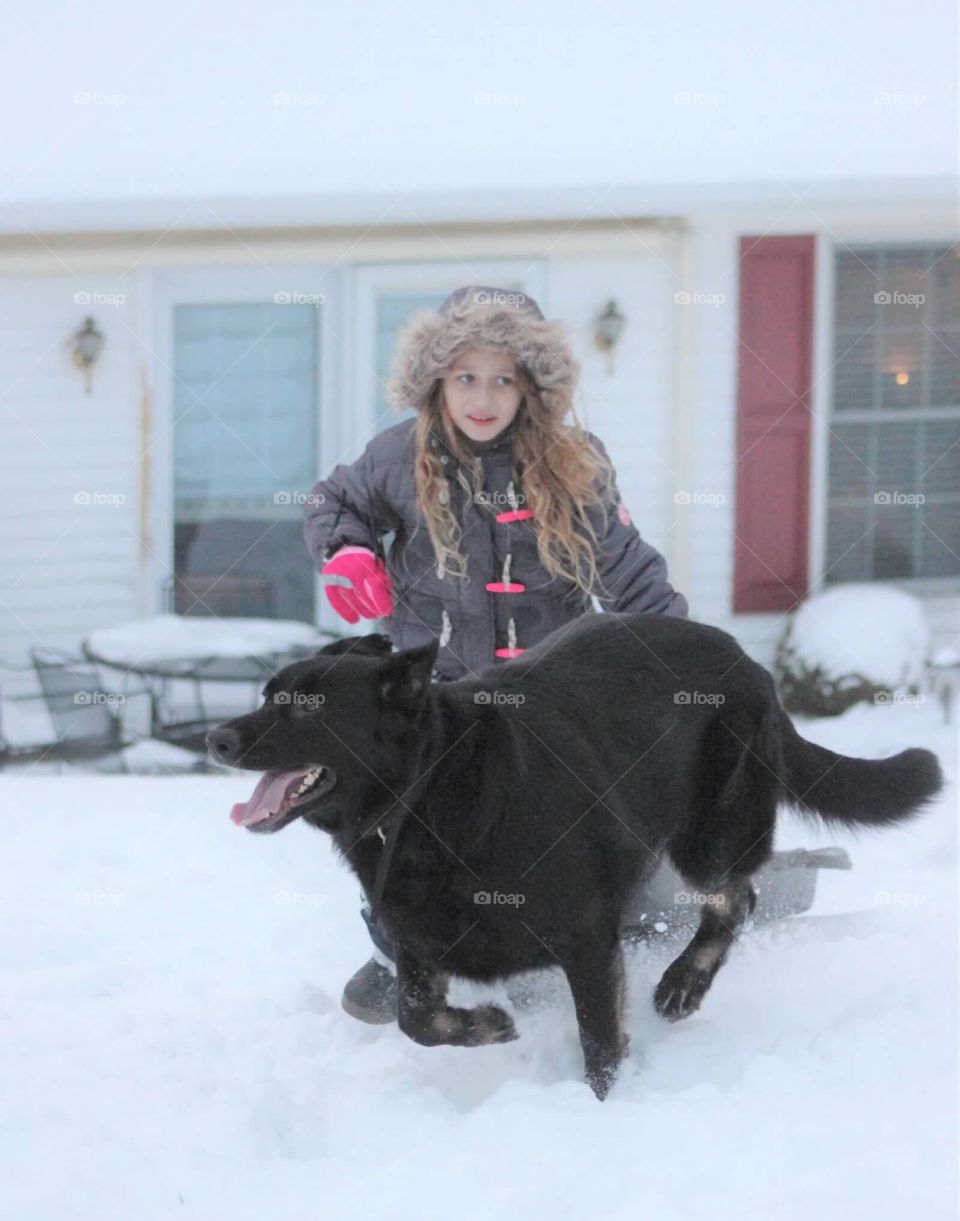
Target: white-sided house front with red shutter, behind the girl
pixel 784 407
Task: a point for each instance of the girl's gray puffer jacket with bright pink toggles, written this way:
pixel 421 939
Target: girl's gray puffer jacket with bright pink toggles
pixel 362 502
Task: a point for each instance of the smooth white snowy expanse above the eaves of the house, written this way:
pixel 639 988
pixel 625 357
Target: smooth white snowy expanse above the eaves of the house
pixel 390 91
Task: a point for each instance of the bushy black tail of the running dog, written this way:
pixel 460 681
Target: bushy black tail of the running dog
pixel 843 791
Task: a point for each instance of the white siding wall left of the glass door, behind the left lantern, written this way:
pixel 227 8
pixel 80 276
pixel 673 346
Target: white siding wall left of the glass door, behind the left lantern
pixel 67 568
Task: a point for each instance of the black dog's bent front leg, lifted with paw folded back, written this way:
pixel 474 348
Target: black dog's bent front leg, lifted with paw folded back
pixel 426 1018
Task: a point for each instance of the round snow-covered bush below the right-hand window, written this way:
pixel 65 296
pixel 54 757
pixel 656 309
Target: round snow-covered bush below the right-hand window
pixel 857 642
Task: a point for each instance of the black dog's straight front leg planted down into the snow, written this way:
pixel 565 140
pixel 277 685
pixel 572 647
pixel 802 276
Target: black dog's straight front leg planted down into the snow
pixel 599 985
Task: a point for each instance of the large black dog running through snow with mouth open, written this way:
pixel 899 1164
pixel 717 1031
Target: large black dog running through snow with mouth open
pixel 501 822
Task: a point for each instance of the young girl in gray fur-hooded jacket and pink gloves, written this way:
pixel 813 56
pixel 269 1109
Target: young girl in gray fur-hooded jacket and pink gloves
pixel 507 520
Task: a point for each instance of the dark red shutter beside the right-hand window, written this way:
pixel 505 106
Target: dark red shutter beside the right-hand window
pixel 775 372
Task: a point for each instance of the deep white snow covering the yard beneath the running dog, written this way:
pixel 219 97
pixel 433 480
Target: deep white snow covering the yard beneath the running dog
pixel 172 1041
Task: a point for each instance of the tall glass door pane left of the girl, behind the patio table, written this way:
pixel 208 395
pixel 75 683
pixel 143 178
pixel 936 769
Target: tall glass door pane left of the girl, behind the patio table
pixel 245 445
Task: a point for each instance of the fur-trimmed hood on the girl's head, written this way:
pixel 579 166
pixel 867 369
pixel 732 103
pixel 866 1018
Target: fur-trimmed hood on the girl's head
pixel 477 317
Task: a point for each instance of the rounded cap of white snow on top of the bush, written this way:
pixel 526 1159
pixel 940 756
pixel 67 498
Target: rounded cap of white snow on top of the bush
pixel 875 631
